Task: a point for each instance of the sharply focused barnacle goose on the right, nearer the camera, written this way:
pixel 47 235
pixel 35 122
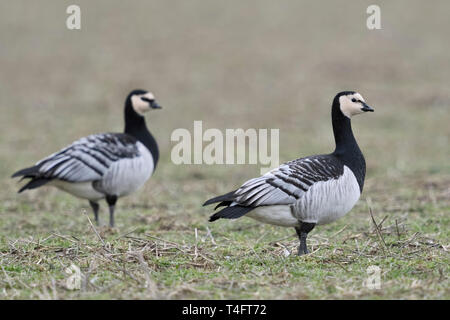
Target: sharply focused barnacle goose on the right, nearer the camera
pixel 308 191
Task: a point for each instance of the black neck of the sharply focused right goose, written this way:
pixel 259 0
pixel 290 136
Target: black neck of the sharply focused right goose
pixel 347 149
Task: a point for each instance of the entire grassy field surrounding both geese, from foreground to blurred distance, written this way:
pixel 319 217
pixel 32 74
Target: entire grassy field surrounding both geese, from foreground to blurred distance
pixel 252 64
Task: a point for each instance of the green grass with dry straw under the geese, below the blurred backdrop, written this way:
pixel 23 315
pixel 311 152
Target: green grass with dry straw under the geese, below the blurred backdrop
pixel 155 252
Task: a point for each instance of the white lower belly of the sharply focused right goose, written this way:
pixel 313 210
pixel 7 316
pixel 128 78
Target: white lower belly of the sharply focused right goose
pixel 280 215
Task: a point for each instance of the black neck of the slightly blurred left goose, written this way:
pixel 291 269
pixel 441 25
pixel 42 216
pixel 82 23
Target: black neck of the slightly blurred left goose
pixel 136 127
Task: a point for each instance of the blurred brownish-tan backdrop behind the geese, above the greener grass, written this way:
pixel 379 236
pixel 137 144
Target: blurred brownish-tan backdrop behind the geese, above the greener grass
pixel 249 64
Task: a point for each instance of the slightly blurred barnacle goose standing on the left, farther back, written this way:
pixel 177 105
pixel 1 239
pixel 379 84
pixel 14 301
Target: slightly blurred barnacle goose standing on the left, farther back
pixel 103 166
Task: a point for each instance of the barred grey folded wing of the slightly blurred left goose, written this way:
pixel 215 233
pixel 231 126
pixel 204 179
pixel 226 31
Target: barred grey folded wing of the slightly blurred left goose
pixel 89 158
